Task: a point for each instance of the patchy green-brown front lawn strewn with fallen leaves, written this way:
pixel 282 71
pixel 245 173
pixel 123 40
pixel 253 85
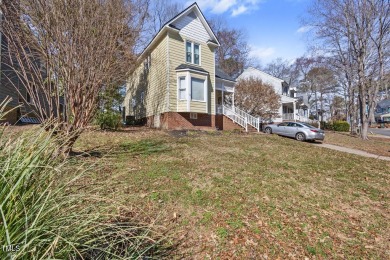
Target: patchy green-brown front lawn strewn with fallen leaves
pixel 229 195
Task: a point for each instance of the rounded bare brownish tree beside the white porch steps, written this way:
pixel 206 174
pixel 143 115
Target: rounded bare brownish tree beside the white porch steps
pixel 257 97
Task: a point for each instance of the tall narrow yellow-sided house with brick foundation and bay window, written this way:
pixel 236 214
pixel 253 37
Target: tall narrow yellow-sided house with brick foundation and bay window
pixel 176 84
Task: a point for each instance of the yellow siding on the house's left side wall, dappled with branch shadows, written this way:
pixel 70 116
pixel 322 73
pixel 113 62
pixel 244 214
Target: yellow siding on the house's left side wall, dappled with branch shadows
pixel 152 83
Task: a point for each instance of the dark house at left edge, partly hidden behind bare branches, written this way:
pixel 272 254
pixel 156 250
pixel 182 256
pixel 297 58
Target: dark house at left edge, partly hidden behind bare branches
pixel 20 106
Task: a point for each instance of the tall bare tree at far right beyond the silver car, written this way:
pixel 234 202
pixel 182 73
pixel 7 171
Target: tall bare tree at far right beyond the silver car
pixel 357 33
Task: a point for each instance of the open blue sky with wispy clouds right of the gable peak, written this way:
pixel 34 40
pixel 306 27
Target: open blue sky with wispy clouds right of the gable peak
pixel 273 26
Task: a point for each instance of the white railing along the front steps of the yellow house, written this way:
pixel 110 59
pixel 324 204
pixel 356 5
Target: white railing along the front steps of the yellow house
pixel 242 118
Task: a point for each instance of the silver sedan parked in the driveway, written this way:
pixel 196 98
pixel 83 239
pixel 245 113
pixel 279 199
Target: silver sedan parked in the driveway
pixel 297 130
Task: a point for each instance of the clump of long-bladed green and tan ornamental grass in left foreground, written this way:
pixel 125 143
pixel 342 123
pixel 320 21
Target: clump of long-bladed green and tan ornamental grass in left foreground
pixel 42 217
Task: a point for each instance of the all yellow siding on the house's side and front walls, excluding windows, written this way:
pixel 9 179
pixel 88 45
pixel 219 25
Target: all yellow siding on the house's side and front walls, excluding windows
pixel 155 81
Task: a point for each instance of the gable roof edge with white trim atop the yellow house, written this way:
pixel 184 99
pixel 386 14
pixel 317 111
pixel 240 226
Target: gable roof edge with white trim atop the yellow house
pixel 169 26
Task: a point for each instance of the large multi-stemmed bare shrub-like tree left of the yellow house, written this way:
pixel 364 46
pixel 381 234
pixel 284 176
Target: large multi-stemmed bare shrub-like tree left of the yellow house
pixel 70 50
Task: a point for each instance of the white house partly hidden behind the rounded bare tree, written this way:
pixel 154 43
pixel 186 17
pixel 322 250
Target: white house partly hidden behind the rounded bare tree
pixel 287 110
